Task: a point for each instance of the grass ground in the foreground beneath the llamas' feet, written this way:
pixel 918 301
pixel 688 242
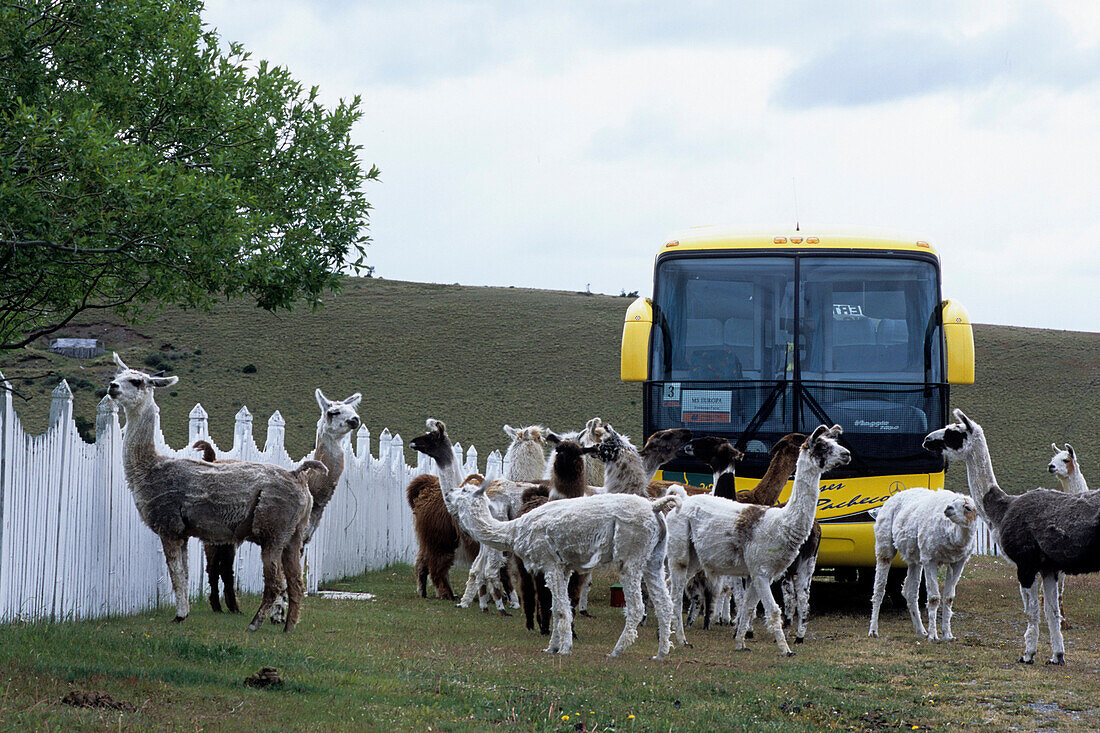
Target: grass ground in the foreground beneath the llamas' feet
pixel 401 663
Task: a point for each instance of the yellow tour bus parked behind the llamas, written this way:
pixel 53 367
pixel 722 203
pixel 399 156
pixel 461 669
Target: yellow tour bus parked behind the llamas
pixel 752 337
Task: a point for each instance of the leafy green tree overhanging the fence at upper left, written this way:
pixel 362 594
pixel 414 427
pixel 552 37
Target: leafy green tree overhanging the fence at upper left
pixel 144 167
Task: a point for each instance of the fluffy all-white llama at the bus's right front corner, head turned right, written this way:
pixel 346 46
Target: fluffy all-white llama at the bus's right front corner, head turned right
pixel 928 529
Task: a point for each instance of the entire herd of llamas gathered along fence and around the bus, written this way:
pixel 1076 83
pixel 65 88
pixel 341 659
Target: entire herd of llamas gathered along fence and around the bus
pixel 553 521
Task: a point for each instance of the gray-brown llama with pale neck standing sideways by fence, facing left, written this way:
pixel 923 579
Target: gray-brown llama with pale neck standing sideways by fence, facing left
pixel 224 504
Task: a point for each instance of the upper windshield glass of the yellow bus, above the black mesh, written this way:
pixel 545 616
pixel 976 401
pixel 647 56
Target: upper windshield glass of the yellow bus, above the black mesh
pixel 866 320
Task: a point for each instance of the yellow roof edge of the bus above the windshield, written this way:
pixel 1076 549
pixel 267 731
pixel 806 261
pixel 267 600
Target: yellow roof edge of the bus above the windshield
pixel 716 238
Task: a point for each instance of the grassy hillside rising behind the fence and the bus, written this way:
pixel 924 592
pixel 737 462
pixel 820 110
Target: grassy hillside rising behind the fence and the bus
pixel 481 357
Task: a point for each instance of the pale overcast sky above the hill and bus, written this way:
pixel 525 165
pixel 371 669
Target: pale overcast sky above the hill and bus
pixel 557 145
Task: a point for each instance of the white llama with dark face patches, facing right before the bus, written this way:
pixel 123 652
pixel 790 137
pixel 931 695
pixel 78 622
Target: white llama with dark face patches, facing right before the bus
pixel 730 539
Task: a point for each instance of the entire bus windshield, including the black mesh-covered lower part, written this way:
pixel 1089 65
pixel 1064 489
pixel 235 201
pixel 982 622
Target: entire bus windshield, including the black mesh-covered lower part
pixel 756 346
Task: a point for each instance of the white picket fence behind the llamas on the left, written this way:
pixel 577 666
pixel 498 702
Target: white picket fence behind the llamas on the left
pixel 72 545
